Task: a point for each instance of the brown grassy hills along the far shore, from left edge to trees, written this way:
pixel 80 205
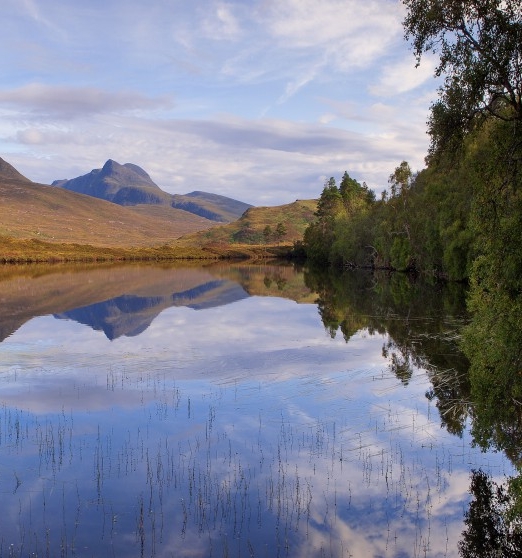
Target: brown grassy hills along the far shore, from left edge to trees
pixel 46 223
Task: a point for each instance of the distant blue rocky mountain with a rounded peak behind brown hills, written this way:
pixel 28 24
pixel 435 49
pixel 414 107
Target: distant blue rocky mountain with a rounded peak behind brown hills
pixel 130 185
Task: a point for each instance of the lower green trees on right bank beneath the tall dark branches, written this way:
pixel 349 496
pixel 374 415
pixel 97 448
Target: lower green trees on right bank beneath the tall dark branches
pixel 440 221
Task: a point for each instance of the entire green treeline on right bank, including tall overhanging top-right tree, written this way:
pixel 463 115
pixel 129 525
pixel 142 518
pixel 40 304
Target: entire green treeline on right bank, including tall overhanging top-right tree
pixel 460 217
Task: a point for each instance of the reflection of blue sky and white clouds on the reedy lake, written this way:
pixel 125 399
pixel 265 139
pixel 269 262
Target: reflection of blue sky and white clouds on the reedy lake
pixel 235 429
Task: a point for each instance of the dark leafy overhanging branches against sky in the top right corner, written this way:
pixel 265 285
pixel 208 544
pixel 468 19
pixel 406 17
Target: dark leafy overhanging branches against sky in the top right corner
pixel 479 43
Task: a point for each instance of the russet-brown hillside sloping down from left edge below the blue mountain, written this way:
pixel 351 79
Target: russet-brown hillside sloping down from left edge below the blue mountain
pixel 31 210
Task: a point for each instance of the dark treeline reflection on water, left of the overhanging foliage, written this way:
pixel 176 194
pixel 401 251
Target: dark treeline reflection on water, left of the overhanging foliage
pixel 422 321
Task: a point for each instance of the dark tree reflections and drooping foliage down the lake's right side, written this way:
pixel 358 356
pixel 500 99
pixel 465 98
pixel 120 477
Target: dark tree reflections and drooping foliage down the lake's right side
pixel 474 364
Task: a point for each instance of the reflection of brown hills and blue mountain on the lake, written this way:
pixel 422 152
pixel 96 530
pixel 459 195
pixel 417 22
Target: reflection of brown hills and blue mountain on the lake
pixel 125 300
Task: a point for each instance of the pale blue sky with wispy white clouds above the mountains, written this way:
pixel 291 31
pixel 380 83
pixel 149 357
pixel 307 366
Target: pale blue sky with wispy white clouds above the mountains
pixel 258 100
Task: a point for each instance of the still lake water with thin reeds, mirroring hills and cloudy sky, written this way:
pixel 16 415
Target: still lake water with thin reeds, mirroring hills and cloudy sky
pixel 227 411
